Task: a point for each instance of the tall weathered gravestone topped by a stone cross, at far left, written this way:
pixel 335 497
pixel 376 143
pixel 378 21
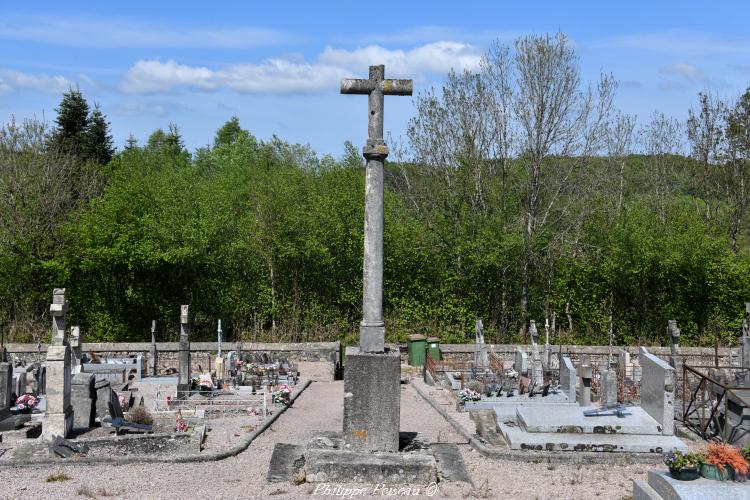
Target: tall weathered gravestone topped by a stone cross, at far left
pixel 58 420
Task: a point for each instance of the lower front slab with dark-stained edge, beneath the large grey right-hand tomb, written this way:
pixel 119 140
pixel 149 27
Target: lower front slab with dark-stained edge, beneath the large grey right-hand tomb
pixel 518 439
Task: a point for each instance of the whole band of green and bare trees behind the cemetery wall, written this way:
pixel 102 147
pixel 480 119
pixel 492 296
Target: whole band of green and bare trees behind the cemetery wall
pixel 519 193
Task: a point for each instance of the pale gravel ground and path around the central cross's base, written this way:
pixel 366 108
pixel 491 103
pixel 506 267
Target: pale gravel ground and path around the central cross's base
pixel 319 408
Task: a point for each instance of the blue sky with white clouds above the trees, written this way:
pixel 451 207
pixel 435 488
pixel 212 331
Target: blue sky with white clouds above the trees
pixel 276 65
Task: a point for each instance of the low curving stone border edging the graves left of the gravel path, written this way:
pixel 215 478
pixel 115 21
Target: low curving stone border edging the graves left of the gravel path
pixel 136 459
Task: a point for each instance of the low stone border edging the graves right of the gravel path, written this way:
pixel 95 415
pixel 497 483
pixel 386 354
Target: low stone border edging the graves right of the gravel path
pixel 565 457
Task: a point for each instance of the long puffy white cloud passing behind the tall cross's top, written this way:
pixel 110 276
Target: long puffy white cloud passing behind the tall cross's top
pixel 284 76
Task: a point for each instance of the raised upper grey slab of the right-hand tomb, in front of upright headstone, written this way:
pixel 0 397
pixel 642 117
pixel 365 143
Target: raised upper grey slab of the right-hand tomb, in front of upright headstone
pixel 570 420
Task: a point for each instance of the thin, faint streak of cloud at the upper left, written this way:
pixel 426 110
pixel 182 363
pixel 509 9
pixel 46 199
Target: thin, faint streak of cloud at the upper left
pixel 130 32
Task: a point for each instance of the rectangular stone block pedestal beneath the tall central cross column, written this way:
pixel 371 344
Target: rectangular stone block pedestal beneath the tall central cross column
pixel 372 398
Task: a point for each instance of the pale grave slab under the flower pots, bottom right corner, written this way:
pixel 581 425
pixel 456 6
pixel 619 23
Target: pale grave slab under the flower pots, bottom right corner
pixel 700 489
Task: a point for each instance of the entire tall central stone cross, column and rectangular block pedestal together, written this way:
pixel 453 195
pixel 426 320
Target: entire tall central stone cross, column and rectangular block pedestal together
pixel 372 377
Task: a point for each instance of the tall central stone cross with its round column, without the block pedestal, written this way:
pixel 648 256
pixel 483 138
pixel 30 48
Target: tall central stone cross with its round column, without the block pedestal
pixel 372 327
